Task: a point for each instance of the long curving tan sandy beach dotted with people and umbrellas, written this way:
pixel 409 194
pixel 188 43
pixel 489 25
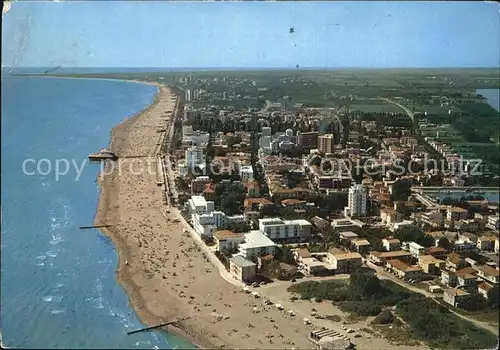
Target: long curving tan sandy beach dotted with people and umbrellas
pixel 162 270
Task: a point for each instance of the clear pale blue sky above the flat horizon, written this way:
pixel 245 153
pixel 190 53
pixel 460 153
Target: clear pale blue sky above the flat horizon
pixel 251 34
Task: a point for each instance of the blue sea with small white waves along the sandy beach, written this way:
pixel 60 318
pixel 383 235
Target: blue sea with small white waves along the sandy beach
pixel 58 283
